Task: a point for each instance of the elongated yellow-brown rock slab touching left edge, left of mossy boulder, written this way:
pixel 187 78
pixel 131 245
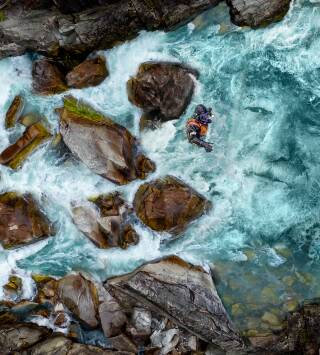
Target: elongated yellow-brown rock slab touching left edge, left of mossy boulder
pixel 32 138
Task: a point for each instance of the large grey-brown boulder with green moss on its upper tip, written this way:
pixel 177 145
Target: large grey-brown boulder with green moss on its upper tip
pixel 104 146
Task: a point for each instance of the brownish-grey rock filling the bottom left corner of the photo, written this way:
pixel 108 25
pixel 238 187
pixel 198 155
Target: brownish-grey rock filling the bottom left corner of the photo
pixel 17 337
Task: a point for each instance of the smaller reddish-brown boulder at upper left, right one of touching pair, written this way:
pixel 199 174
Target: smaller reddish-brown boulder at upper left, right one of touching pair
pixel 91 72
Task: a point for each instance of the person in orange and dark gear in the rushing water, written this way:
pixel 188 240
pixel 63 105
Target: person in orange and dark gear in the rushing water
pixel 197 127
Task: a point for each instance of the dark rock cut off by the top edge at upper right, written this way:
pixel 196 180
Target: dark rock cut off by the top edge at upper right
pixel 256 13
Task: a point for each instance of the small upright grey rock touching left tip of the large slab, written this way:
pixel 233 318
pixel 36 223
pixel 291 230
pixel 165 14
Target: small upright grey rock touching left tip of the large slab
pixel 113 319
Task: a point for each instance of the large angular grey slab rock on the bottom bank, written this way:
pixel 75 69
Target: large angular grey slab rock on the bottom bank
pixel 184 293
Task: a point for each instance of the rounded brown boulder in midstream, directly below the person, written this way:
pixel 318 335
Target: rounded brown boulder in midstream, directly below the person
pixel 168 204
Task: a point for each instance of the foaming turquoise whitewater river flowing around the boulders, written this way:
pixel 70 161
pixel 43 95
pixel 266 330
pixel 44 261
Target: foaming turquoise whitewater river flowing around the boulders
pixel 263 234
